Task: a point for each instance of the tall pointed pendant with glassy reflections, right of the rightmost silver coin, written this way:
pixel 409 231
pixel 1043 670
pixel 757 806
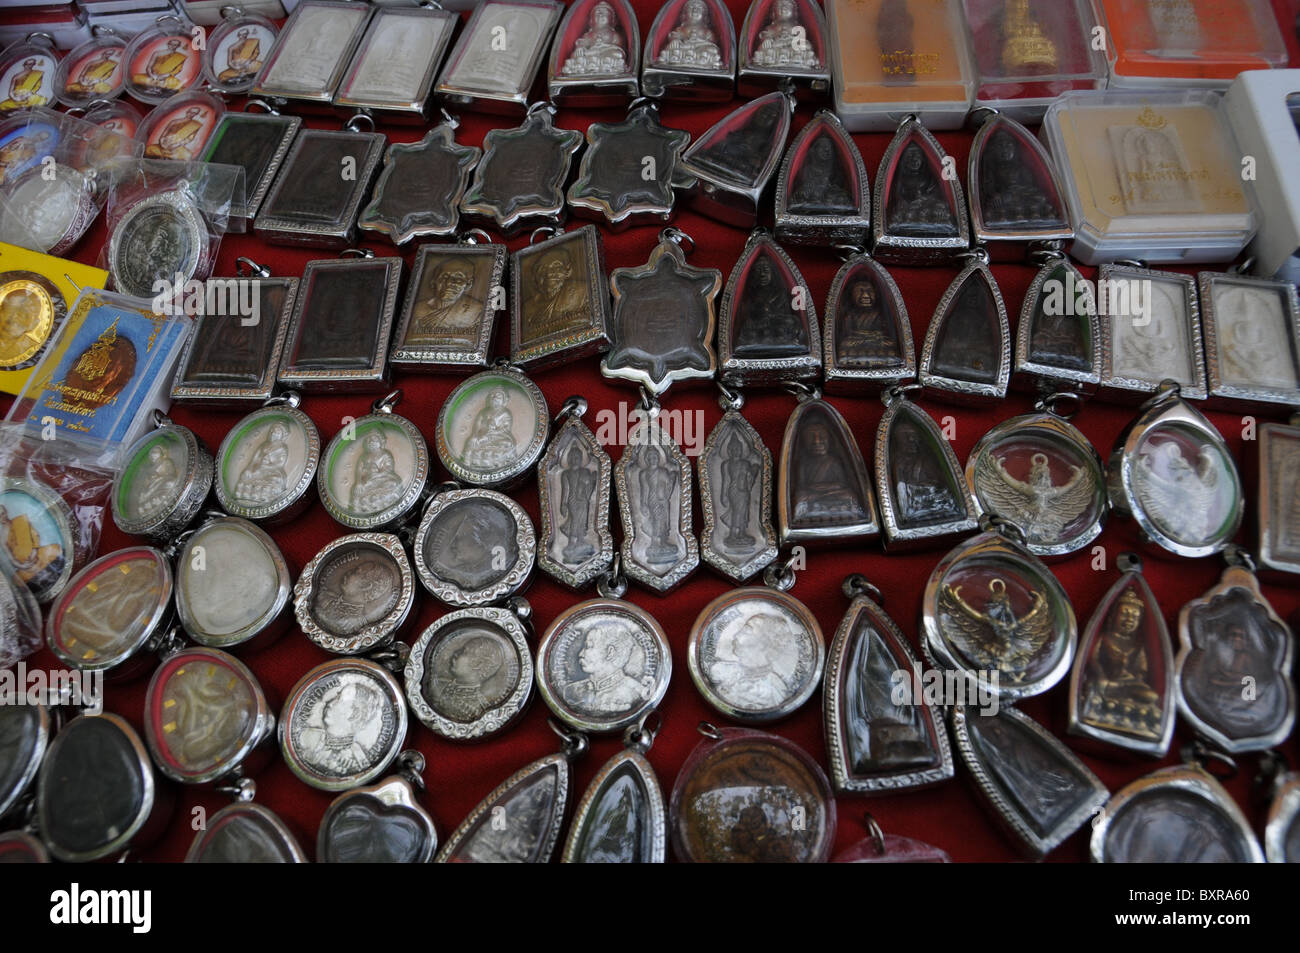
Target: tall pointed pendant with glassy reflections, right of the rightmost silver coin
pixel 878 744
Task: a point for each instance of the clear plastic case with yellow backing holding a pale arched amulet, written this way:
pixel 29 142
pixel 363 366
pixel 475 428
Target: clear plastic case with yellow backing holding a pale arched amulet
pixel 1155 177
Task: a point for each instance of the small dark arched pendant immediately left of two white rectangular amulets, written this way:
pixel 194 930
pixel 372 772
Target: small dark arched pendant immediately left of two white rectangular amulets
pixel 1059 339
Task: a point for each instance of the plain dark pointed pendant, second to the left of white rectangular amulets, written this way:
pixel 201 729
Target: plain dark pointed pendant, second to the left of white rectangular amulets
pixel 968 352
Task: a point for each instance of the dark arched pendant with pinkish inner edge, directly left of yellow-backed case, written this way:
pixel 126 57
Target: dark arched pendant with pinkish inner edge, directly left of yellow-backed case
pixel 1015 189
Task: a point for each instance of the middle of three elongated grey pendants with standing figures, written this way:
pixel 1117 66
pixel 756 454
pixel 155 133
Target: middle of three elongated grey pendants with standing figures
pixel 653 484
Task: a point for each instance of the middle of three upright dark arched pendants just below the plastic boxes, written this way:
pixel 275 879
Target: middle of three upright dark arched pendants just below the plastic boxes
pixel 918 214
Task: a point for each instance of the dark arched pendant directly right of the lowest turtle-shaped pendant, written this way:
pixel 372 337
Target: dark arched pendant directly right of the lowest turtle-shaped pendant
pixel 768 330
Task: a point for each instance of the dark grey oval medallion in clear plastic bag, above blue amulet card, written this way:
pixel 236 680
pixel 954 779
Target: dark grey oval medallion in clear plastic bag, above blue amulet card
pixel 161 237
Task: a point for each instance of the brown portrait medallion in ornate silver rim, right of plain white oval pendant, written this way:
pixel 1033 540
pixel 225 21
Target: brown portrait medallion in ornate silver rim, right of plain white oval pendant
pixel 356 595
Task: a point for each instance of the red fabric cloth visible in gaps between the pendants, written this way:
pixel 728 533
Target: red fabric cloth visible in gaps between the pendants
pixel 952 816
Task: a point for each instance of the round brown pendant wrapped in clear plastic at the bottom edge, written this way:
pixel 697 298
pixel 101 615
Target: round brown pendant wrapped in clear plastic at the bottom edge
pixel 751 798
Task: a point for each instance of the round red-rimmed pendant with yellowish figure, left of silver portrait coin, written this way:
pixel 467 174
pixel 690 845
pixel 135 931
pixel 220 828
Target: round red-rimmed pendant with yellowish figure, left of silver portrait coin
pixel 205 714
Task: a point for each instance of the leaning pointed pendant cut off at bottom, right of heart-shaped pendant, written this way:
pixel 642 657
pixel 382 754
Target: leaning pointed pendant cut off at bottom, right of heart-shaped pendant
pixel 521 821
